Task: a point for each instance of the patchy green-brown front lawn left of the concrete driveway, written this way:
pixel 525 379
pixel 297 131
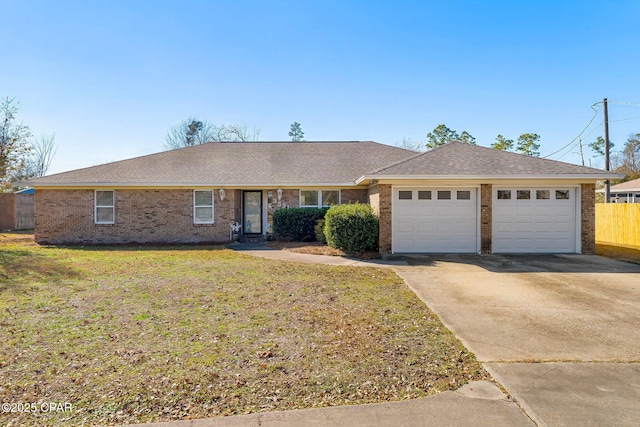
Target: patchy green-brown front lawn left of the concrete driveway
pixel 130 335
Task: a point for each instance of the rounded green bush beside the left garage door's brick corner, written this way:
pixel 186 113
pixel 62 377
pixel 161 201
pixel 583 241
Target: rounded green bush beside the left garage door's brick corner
pixel 351 228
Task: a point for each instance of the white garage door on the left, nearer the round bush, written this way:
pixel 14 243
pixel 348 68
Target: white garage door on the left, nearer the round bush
pixel 435 220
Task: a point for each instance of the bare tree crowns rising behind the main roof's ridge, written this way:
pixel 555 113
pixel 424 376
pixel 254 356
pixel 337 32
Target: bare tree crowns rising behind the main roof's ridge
pixel 195 132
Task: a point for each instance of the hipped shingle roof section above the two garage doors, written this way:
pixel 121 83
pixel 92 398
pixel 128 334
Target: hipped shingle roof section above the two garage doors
pixel 457 159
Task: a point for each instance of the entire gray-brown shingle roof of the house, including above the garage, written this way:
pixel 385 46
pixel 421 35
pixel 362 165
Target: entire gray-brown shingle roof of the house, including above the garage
pixel 309 164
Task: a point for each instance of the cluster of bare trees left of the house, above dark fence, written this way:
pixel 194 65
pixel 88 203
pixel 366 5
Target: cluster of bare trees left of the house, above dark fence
pixel 22 155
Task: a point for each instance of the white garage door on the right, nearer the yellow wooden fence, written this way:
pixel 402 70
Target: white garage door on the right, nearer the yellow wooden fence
pixel 534 220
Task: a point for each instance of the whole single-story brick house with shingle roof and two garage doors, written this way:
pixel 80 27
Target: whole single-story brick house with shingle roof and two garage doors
pixel 457 198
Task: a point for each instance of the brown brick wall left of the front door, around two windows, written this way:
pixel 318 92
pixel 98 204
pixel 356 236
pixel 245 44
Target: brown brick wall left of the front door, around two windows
pixel 141 216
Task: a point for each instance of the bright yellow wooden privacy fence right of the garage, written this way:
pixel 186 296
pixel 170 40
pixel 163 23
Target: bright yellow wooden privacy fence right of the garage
pixel 618 223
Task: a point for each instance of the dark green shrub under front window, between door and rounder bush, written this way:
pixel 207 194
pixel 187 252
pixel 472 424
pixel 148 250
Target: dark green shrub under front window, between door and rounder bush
pixel 297 224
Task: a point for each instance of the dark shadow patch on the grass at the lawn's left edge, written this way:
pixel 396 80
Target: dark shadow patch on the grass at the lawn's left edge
pixel 16 265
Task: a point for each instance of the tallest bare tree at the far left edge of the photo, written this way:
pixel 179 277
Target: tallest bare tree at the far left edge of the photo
pixel 14 141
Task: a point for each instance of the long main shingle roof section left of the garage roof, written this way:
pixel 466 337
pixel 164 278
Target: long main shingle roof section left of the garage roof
pixel 242 164
